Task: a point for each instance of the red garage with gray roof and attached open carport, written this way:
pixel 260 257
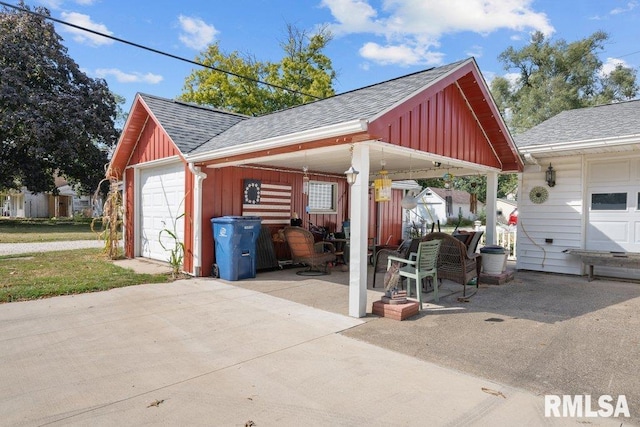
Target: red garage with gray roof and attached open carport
pixel 184 164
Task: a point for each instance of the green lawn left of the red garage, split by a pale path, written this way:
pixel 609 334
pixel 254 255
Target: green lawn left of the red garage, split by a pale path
pixel 46 274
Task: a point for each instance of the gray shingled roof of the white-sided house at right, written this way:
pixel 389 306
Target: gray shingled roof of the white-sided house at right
pixel 604 121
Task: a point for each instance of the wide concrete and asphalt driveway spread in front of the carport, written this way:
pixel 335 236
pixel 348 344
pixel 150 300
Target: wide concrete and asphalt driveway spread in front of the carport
pixel 206 352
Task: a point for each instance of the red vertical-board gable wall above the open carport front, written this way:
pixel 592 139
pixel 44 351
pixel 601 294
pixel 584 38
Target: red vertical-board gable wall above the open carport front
pixel 439 123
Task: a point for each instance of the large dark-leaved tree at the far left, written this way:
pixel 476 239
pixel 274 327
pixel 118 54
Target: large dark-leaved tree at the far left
pixel 52 116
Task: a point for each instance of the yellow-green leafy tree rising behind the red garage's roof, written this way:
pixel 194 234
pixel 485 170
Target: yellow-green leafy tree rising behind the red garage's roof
pixel 304 69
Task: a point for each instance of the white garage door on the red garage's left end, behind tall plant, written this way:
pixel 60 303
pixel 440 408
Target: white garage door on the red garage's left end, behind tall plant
pixel 161 207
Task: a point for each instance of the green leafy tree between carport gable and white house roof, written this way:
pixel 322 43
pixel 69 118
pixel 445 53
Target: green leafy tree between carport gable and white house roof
pixel 559 76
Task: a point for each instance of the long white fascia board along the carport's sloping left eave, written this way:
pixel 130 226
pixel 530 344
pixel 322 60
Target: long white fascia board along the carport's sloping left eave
pixel 345 128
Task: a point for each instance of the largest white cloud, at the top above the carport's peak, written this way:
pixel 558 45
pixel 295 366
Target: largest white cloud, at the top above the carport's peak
pixel 413 28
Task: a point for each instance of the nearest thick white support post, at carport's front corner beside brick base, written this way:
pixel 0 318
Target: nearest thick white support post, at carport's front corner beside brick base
pixel 359 216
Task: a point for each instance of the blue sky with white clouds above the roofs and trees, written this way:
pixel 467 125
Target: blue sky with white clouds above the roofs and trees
pixel 373 40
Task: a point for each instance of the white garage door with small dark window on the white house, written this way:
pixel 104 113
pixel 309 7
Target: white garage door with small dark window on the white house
pixel 613 202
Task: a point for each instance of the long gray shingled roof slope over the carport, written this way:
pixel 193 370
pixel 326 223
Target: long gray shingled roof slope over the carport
pixel 358 104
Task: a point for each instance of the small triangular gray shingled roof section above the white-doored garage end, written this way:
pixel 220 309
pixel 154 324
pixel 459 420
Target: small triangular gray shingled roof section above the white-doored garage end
pixel 190 125
